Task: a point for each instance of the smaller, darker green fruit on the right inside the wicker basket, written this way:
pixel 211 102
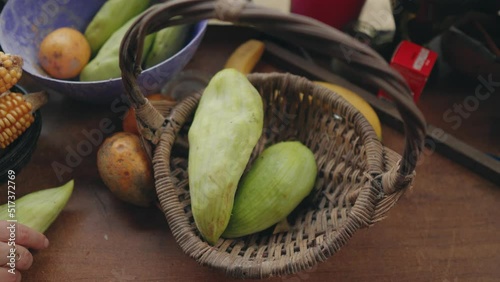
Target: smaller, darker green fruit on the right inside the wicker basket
pixel 279 179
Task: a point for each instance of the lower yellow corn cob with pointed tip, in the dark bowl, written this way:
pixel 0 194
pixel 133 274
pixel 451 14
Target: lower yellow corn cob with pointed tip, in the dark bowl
pixel 16 114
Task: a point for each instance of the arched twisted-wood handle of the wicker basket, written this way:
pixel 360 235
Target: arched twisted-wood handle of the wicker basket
pixel 300 30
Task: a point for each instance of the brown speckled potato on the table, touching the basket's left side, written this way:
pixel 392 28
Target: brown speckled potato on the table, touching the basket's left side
pixel 126 169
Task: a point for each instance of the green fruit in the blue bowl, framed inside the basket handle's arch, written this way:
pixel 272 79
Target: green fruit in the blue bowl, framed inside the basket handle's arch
pixel 168 41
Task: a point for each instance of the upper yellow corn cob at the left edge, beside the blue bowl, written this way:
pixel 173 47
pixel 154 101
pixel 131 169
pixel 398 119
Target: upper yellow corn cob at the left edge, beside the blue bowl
pixel 10 71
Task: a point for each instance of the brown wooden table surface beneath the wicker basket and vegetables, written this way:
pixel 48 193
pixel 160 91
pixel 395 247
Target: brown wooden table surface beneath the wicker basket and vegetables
pixel 447 228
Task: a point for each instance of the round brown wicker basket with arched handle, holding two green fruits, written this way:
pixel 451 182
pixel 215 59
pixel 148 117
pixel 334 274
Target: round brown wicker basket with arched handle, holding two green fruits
pixel 358 180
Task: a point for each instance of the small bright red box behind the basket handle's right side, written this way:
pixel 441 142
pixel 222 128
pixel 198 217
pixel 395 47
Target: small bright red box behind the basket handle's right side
pixel 415 64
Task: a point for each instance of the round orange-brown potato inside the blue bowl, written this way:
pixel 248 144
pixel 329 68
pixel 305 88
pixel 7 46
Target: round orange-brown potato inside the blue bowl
pixel 64 52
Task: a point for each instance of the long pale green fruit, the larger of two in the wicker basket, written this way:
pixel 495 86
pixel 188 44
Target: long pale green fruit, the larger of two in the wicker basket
pixel 226 127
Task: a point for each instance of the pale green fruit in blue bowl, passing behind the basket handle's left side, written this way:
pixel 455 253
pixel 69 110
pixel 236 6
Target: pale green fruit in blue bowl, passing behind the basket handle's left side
pixel 105 64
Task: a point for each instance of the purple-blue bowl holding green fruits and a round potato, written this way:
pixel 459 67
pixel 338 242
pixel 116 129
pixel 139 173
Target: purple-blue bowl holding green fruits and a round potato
pixel 24 24
